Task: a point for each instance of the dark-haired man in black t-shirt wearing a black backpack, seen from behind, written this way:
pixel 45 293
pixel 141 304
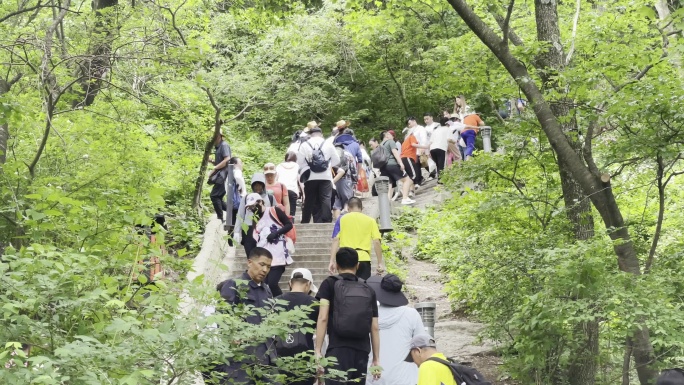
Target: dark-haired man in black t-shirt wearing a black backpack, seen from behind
pixel 351 353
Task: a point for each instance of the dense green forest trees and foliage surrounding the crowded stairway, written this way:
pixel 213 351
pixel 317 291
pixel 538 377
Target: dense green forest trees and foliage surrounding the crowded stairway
pixel 571 251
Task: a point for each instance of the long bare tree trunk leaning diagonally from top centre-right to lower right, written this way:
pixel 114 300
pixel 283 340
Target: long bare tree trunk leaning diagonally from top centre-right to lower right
pixel 586 175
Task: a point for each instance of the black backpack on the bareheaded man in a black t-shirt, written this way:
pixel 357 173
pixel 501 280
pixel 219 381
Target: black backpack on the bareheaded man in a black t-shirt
pixel 352 308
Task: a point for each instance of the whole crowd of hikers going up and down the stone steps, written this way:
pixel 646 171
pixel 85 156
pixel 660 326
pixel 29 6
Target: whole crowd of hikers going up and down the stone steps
pixel 361 316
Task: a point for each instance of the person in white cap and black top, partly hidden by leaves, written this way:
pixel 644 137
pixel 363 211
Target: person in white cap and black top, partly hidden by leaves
pixel 301 289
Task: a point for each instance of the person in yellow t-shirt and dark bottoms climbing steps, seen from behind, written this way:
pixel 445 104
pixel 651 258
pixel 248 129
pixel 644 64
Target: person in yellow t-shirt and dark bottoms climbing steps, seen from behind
pixel 358 231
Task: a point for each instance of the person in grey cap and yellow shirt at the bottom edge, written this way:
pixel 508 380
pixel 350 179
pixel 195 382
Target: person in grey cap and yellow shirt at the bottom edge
pixel 430 372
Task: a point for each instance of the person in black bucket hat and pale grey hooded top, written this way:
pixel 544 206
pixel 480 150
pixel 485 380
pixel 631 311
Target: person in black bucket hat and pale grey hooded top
pixel 398 323
